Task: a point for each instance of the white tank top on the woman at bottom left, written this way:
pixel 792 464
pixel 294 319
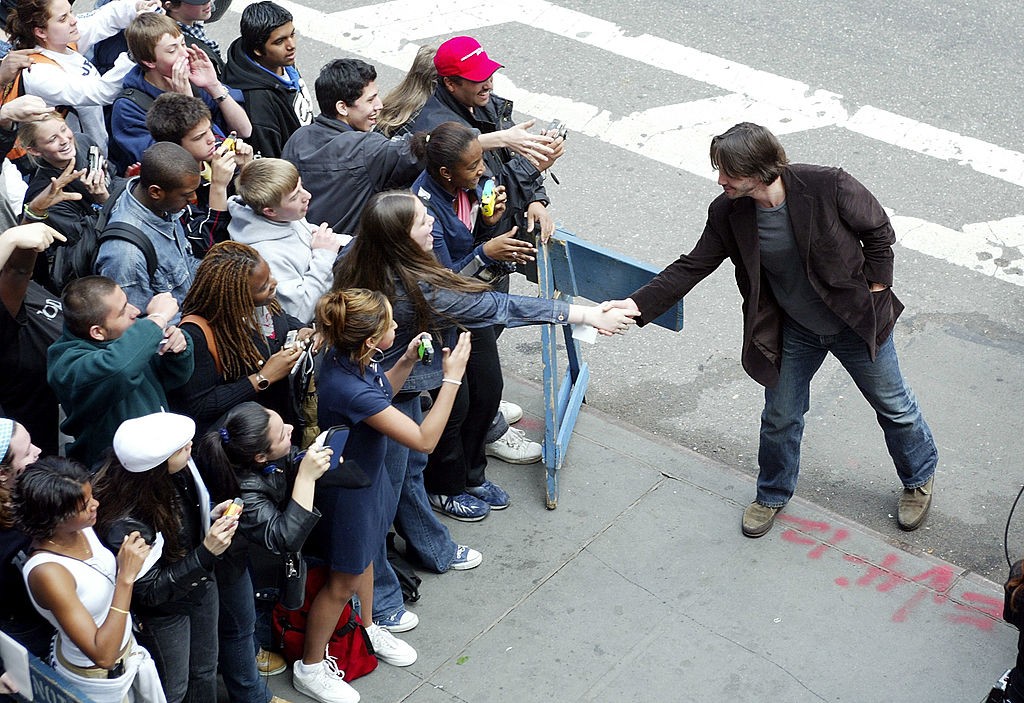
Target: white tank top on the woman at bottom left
pixel 95 581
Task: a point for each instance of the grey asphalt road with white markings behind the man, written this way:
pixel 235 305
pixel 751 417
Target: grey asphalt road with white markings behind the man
pixel 952 73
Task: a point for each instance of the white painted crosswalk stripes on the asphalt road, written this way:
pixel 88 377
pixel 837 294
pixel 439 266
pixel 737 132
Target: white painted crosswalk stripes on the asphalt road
pixel 678 135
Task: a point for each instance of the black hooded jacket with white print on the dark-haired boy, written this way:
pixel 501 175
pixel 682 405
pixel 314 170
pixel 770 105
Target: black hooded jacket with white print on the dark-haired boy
pixel 269 103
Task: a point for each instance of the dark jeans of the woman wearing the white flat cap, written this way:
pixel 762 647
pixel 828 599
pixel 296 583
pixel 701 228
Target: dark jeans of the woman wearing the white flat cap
pixel 185 649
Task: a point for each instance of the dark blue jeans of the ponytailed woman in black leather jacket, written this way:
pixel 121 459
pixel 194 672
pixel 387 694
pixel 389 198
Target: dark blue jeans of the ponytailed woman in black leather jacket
pixel 237 625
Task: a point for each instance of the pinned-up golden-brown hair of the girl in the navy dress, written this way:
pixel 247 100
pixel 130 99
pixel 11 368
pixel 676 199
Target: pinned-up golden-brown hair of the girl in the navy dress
pixel 348 319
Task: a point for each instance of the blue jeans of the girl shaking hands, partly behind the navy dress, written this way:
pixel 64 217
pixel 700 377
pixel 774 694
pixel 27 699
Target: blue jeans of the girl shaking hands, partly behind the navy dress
pixel 428 540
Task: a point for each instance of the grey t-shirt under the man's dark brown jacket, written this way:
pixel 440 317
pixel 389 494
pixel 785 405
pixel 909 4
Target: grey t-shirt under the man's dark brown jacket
pixel 784 267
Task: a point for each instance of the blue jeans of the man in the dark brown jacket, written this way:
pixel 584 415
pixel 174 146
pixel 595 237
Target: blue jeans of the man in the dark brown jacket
pixel 908 436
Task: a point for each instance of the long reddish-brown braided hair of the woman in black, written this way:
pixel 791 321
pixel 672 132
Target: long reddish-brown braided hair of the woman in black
pixel 223 295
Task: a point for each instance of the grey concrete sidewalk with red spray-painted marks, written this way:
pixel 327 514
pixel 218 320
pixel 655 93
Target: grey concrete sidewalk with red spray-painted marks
pixel 641 588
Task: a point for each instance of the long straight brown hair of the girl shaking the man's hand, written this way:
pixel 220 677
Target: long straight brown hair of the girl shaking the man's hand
pixel 385 254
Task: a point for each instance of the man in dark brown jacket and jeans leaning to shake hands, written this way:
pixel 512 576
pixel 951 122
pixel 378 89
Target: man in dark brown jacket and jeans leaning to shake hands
pixel 815 266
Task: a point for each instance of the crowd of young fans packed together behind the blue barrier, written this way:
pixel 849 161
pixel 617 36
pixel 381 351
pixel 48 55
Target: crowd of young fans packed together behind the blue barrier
pixel 185 230
